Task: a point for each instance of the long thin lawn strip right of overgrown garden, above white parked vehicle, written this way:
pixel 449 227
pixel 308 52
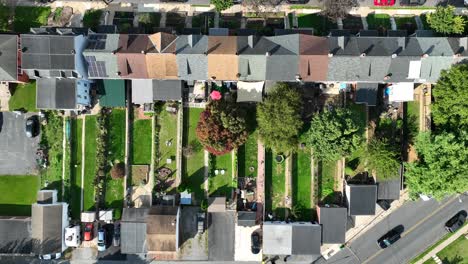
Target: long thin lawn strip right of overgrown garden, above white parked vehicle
pixel 75 164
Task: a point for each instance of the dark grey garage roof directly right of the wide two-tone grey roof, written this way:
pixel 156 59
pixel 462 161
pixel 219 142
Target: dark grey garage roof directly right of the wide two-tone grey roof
pixel 333 220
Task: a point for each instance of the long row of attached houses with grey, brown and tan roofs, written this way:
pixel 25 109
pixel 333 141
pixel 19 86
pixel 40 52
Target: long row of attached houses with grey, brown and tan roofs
pixel 54 55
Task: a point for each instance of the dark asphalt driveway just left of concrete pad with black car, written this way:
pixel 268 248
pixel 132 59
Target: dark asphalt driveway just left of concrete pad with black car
pixel 221 236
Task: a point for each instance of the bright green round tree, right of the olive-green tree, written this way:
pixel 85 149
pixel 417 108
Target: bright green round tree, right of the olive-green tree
pixel 334 134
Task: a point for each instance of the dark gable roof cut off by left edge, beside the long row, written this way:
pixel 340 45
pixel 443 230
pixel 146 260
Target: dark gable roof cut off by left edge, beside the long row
pixel 8 57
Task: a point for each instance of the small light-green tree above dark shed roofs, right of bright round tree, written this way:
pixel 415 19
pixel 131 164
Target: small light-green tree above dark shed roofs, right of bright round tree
pixel 381 158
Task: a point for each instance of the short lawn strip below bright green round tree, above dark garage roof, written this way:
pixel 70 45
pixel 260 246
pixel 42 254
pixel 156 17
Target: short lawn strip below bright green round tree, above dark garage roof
pixel 326 181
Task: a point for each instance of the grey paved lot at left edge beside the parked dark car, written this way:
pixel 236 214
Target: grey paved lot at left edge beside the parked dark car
pixel 17 152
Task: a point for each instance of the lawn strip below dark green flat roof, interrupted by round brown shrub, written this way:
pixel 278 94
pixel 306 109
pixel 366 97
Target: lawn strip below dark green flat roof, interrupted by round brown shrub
pixel 114 187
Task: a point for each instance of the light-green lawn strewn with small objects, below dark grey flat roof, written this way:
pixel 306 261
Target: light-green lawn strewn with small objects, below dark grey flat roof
pixel 167 133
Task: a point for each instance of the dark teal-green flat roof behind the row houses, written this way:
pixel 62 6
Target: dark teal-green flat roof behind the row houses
pixel 113 93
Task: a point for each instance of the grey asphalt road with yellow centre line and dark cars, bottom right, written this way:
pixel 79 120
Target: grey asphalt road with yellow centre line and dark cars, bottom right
pixel 423 223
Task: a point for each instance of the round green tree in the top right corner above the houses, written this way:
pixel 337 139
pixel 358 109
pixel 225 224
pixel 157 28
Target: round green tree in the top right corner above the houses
pixel 444 21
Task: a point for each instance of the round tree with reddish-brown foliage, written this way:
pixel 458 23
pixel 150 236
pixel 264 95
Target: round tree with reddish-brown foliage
pixel 222 127
